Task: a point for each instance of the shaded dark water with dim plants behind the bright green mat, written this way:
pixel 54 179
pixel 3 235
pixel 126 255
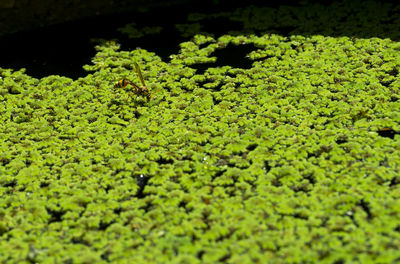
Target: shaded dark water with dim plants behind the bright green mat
pixel 64 49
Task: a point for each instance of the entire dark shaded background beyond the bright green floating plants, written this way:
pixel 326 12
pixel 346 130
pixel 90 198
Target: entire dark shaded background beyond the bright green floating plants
pixel 55 37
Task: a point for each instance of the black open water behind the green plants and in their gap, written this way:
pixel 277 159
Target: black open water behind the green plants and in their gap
pixel 63 49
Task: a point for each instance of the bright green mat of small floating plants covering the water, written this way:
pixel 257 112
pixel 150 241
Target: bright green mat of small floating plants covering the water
pixel 295 160
